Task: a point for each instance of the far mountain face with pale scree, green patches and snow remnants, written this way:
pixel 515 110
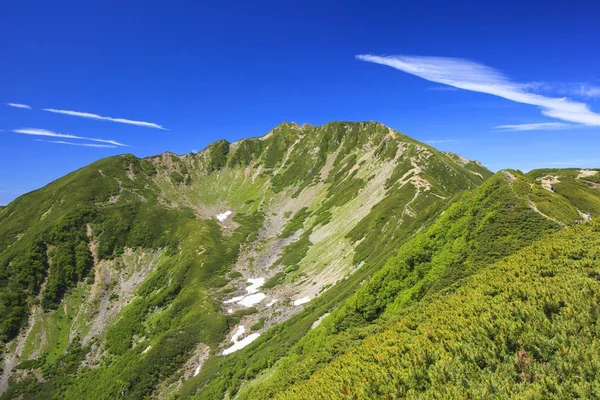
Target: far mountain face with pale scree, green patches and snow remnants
pixel 130 277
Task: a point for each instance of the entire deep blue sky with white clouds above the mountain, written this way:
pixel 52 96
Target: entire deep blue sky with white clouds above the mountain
pixel 511 83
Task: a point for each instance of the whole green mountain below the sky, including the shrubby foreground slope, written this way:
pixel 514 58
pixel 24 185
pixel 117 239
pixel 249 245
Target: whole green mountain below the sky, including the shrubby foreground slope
pixel 300 264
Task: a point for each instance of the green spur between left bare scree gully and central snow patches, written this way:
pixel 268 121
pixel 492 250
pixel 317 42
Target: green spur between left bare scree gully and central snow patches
pixel 179 287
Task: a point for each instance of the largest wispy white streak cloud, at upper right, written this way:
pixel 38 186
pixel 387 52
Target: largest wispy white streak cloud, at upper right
pixel 469 75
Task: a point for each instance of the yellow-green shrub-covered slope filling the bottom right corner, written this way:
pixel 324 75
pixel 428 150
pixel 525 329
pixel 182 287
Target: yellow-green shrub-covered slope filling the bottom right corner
pixel 525 327
